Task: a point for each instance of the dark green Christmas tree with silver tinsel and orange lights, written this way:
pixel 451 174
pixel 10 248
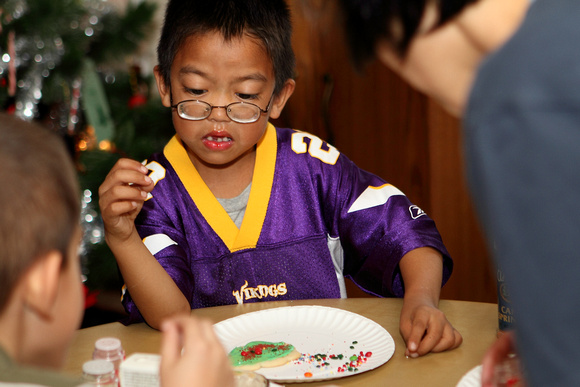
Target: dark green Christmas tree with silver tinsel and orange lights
pixel 71 65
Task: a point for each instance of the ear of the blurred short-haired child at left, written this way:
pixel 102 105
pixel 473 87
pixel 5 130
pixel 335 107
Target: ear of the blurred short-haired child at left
pixel 41 284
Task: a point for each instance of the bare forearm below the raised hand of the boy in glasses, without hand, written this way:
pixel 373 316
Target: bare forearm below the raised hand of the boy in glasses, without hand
pixel 151 288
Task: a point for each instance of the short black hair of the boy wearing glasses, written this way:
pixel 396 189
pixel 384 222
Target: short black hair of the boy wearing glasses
pixel 266 20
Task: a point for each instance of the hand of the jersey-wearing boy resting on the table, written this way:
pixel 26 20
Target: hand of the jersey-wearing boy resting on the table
pixel 426 329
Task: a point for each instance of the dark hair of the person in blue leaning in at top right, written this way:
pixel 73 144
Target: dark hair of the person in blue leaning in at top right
pixel 368 21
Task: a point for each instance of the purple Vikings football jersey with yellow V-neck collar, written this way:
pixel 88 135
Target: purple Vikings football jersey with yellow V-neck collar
pixel 312 219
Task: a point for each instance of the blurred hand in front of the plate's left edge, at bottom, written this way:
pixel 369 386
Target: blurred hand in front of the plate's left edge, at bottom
pixel 191 355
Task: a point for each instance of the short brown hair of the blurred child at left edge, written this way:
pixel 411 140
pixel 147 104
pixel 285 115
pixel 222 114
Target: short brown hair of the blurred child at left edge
pixel 39 199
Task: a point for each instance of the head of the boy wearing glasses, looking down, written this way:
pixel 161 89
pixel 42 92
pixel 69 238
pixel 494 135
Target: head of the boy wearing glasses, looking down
pixel 223 52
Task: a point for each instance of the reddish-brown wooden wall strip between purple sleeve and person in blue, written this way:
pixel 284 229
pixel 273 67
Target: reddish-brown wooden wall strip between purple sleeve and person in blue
pixel 452 208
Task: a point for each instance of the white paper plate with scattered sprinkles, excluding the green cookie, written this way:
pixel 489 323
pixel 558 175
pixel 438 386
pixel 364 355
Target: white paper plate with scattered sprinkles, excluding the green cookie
pixel 312 330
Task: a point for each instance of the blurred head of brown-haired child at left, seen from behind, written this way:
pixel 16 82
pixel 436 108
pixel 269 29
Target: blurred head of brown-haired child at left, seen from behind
pixel 41 301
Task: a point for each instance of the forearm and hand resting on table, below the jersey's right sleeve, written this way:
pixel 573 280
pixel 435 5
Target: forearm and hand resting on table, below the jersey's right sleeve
pixel 423 326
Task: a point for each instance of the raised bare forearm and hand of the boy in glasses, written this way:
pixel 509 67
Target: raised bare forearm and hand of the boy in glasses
pixel 121 198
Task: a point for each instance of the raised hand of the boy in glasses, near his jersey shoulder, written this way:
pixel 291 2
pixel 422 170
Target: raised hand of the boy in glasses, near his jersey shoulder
pixel 121 197
